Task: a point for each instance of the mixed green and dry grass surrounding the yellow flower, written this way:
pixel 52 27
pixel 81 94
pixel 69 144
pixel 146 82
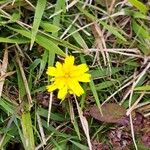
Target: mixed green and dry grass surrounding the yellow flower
pixel 114 41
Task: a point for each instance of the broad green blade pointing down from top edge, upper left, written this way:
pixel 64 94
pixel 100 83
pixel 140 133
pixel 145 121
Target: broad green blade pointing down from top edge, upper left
pixel 39 10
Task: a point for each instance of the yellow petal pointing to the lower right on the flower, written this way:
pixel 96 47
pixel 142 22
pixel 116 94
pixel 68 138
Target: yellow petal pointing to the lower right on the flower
pixel 75 87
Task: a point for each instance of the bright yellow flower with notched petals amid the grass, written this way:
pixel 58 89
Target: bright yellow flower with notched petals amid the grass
pixel 67 77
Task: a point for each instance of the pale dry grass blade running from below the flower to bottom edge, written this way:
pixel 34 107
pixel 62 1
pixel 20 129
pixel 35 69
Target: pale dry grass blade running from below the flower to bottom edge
pixel 84 124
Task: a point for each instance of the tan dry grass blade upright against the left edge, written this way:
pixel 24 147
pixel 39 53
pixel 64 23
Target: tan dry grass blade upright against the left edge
pixel 3 69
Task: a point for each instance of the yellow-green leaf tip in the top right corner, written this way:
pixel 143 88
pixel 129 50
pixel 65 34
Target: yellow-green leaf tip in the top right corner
pixel 140 6
